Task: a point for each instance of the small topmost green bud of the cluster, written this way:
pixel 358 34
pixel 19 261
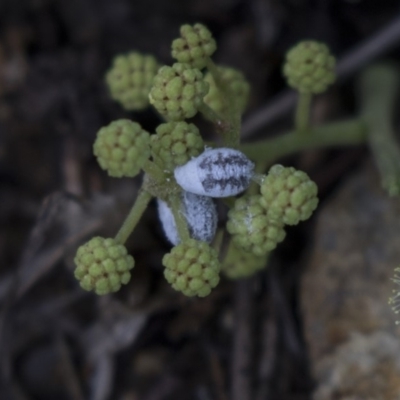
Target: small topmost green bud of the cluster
pixel 195 45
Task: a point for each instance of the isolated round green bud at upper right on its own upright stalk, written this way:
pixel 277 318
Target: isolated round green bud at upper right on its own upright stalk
pixel 310 67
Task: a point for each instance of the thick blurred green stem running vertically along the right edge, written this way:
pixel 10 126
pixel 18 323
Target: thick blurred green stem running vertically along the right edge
pixel 379 86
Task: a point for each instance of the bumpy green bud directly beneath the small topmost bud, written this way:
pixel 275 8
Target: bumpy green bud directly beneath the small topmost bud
pixel 178 91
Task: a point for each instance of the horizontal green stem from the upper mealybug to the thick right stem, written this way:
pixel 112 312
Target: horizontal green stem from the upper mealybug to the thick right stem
pixel 344 133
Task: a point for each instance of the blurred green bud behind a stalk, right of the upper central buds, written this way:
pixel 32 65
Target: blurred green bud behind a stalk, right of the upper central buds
pixel 237 86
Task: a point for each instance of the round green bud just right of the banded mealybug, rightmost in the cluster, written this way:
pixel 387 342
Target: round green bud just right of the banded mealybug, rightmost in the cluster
pixel 288 195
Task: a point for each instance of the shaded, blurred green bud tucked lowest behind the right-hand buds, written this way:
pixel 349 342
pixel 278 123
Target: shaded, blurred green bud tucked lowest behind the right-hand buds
pixel 242 264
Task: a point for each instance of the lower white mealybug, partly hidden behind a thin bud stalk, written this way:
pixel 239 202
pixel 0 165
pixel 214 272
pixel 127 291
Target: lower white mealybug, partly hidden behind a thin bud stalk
pixel 200 213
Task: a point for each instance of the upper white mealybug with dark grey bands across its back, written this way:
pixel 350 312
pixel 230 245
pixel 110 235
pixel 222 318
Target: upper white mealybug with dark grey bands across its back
pixel 219 172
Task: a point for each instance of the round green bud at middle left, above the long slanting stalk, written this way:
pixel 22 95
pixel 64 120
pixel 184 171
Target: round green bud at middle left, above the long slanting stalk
pixel 122 148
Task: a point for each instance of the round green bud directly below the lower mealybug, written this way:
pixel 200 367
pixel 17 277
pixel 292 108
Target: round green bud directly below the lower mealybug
pixel 192 267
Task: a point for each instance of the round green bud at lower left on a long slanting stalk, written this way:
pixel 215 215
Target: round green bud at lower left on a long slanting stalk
pixel 103 265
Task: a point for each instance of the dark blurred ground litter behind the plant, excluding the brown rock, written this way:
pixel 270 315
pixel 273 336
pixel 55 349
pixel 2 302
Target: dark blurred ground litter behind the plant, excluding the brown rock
pixel 146 342
